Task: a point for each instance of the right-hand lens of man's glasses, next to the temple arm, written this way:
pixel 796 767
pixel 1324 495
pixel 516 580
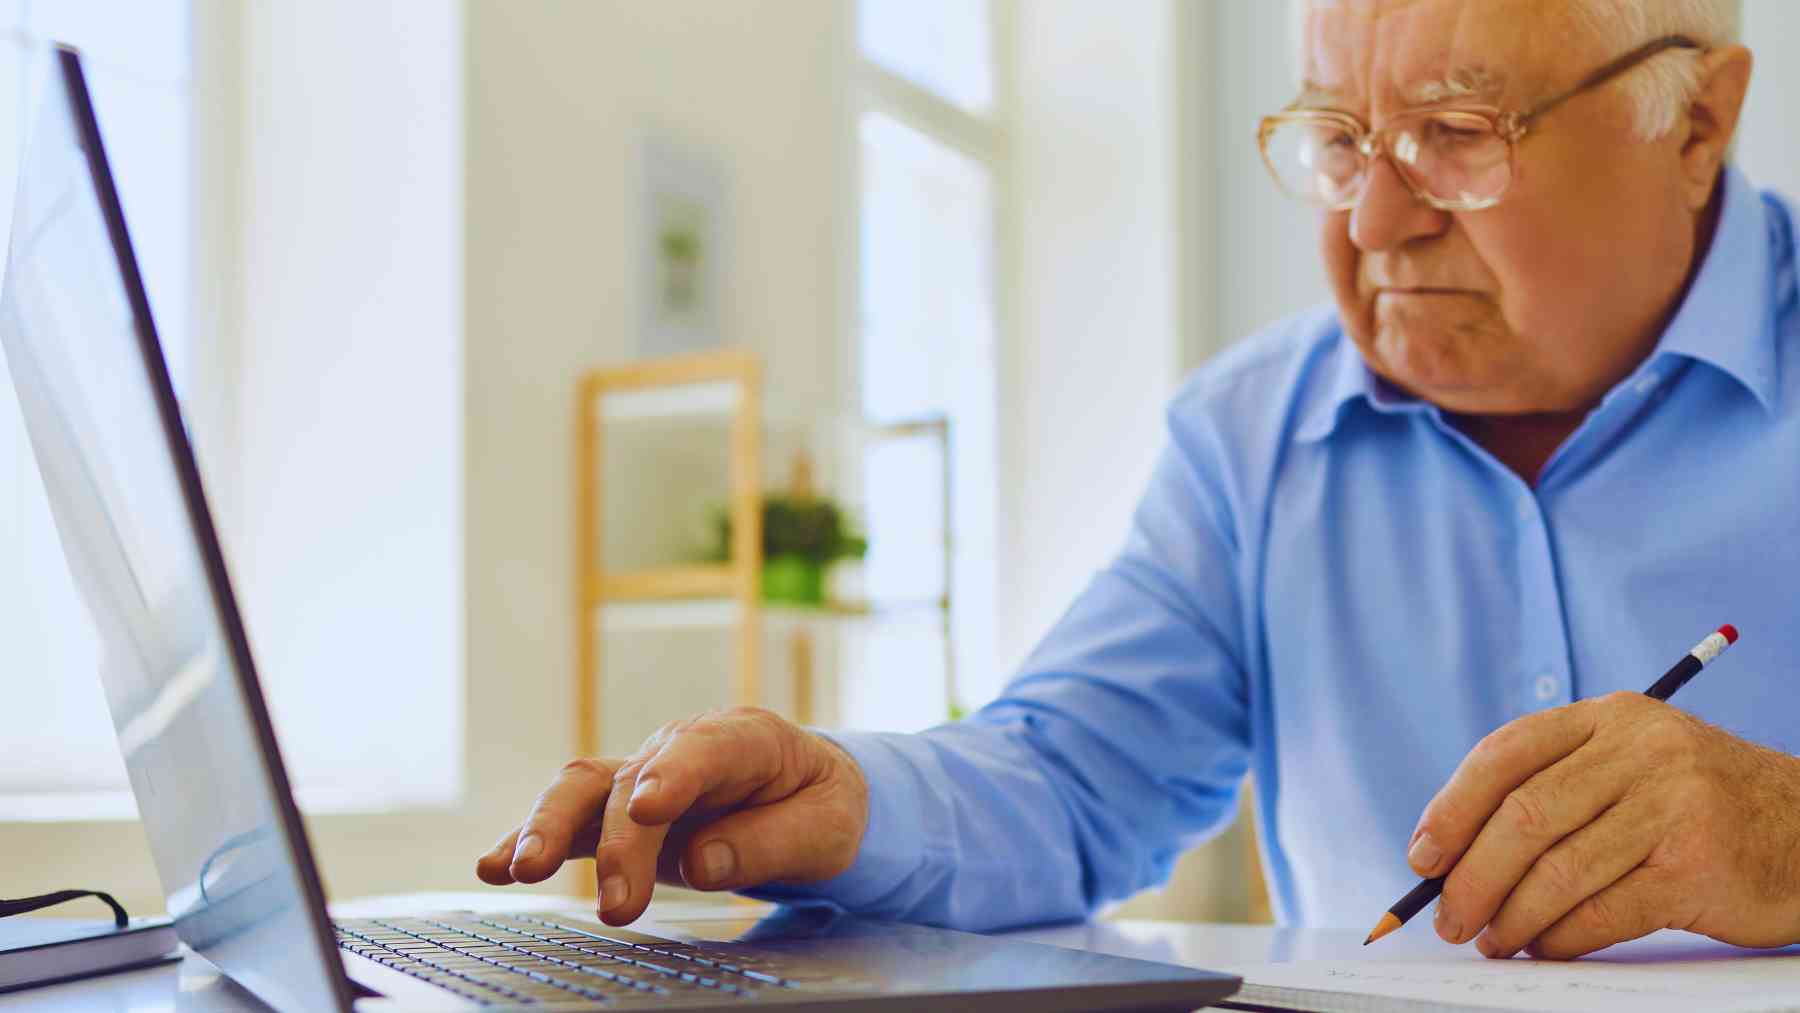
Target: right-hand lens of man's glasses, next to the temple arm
pixel 1457 159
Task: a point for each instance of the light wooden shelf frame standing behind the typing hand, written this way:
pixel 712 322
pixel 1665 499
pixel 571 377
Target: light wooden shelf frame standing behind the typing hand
pixel 654 390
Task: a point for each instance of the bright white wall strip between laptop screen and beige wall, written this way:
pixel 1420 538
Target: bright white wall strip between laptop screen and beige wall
pixel 350 388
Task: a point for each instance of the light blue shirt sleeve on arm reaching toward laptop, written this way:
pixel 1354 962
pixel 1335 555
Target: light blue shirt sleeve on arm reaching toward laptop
pixel 1122 742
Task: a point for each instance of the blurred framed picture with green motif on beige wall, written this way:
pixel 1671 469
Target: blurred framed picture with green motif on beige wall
pixel 683 247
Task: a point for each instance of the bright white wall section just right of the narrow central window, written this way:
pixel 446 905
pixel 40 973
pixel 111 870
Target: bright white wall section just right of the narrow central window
pixel 1095 343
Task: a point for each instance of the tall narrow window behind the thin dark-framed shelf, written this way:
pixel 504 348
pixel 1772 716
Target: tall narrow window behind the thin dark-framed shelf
pixel 930 148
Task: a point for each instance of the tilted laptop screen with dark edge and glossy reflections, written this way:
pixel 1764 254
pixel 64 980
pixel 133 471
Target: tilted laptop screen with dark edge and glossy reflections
pixel 116 463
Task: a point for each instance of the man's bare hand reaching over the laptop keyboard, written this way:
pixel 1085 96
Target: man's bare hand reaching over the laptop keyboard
pixel 717 803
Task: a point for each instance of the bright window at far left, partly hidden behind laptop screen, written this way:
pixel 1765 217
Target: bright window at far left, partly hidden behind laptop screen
pixel 62 757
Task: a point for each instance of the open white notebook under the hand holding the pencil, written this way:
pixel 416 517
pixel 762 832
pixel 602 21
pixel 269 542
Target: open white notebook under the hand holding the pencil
pixel 1666 973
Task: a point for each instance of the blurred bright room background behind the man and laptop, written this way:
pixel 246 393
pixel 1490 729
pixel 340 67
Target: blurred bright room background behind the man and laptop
pixel 494 323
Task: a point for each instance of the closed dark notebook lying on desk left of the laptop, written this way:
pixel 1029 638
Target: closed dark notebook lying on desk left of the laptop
pixel 42 951
